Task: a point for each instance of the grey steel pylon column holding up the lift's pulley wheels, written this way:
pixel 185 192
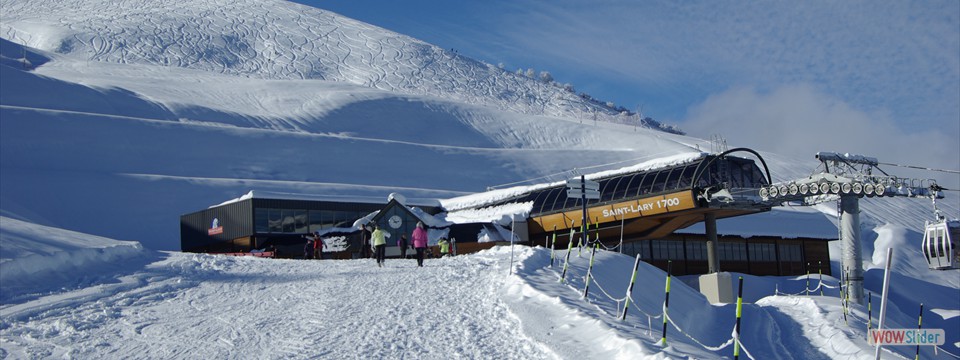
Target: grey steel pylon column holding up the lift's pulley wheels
pixel 850 243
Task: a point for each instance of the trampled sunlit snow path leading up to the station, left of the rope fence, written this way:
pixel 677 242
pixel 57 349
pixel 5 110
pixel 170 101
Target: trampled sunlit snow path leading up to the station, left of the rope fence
pixel 215 307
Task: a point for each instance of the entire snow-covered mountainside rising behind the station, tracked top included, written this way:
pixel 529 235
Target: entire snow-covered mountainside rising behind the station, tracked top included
pixel 141 110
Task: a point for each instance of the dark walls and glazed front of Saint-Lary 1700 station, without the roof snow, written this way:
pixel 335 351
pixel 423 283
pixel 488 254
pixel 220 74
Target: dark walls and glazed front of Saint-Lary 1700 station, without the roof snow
pixel 648 209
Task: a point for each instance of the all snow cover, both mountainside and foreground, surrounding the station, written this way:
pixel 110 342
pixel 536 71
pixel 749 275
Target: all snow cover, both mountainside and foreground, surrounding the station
pixel 102 147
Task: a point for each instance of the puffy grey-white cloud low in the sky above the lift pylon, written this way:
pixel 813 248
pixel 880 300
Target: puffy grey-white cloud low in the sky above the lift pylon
pixel 799 121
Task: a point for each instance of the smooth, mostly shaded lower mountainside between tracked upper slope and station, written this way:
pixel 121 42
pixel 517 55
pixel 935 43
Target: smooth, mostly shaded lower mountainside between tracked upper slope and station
pixel 138 139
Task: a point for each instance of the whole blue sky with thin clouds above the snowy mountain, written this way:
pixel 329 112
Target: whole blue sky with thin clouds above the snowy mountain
pixel 877 78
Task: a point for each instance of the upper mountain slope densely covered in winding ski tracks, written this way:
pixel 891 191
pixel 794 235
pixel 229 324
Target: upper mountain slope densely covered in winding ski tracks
pixel 280 40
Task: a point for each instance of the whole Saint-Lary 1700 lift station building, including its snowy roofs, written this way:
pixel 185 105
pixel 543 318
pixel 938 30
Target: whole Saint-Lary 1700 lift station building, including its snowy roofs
pixel 685 209
